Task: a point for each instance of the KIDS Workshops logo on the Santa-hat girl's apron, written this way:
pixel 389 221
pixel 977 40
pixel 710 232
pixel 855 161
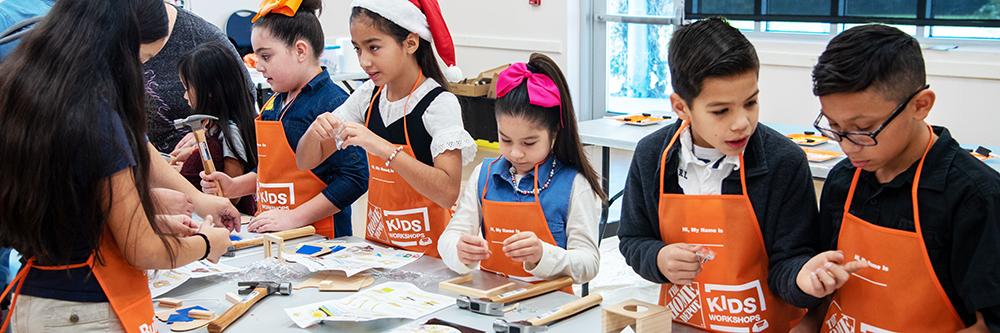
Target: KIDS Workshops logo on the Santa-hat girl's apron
pixel 403 227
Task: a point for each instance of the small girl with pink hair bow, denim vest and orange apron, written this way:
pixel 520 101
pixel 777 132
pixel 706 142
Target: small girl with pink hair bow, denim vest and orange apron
pixel 532 213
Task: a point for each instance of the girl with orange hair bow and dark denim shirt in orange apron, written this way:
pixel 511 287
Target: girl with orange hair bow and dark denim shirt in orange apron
pixel 288 197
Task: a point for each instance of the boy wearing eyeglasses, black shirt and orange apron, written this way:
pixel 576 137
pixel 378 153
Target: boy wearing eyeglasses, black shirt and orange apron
pixel 920 210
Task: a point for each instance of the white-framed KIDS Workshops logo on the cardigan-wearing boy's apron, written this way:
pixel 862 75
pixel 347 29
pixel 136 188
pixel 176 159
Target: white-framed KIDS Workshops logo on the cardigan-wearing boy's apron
pixel 736 308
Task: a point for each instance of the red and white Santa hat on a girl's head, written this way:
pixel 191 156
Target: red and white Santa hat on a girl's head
pixel 422 17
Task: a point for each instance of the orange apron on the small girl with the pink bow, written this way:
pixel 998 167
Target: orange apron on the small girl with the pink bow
pixel 504 219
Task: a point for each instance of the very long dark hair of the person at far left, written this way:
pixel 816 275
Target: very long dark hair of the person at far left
pixel 50 97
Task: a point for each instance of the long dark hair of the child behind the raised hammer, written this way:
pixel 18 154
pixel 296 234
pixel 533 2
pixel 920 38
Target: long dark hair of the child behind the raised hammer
pixel 220 90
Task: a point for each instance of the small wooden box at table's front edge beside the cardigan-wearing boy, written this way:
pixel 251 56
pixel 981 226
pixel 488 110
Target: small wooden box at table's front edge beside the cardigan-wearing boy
pixel 641 316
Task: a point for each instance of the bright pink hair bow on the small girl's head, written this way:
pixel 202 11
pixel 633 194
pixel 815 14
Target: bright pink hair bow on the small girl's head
pixel 542 91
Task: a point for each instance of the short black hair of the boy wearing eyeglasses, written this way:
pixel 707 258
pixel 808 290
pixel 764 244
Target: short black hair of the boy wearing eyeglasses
pixel 873 55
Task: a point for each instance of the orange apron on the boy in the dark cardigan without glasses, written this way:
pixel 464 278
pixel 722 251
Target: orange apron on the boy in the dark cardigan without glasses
pixel 731 294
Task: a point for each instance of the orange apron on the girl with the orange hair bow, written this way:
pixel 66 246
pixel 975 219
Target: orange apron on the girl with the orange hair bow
pixel 280 183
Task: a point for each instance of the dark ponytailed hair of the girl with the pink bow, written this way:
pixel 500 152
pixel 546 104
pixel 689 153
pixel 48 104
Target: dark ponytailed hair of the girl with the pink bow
pixel 568 148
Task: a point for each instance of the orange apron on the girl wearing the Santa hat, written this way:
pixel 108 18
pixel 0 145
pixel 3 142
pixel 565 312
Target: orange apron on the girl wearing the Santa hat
pixel 398 215
